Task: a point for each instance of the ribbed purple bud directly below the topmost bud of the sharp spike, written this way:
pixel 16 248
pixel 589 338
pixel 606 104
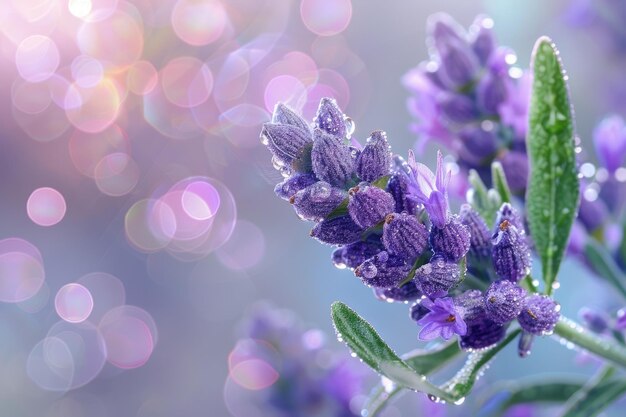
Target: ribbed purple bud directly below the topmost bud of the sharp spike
pixel 332 160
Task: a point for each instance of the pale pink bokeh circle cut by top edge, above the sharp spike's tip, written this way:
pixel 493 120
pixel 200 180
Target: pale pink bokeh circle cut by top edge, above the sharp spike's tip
pixel 326 17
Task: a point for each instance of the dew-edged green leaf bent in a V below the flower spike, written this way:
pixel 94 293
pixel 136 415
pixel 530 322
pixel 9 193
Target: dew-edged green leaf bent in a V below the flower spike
pixel 361 337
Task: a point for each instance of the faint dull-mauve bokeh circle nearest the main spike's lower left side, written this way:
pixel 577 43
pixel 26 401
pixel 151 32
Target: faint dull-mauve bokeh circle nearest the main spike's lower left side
pixel 244 249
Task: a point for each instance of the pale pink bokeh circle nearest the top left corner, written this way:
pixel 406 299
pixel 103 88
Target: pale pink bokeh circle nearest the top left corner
pixel 37 58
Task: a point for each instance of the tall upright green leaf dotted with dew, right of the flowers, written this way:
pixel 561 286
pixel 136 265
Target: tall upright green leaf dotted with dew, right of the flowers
pixel 552 194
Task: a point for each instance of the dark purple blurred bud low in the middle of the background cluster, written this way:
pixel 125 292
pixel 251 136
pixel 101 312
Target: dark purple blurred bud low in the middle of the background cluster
pixel 478 146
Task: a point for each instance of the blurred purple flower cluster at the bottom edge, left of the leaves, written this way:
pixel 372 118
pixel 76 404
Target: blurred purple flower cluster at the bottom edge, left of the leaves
pixel 290 370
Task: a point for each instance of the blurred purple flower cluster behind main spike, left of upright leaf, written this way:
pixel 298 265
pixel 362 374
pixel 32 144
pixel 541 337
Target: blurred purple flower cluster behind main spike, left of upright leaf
pixel 470 99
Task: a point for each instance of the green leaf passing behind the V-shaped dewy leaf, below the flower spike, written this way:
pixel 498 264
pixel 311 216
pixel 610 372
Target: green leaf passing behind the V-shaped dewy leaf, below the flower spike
pixel 422 361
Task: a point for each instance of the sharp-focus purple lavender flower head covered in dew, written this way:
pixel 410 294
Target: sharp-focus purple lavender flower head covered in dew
pixel 393 225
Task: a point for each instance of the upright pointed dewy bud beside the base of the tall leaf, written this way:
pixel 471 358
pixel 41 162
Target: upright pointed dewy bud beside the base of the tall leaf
pixel 510 253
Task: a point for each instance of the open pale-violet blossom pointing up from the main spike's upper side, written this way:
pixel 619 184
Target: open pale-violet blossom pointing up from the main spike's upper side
pixel 430 189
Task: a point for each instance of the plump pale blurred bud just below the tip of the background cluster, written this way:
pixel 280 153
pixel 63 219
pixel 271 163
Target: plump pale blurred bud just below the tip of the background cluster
pixel 459 65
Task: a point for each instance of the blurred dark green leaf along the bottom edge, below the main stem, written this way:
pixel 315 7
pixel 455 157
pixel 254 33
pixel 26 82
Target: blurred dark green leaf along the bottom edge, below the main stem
pixel 538 392
